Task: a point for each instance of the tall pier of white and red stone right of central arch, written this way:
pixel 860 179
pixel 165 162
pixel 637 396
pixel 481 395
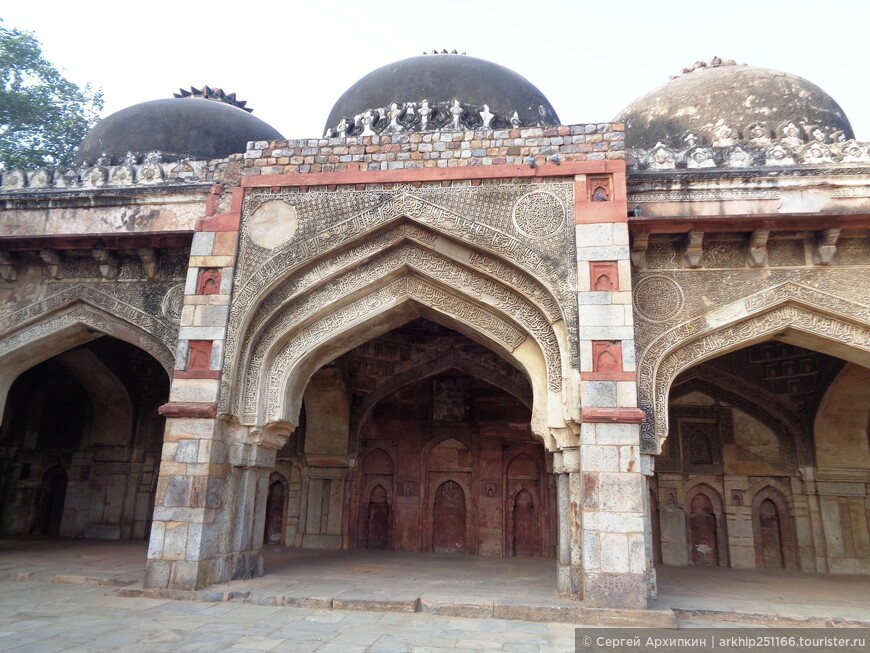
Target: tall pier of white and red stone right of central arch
pixel 610 492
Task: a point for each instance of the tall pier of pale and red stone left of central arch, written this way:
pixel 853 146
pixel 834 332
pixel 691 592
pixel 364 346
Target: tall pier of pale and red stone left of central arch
pixel 186 550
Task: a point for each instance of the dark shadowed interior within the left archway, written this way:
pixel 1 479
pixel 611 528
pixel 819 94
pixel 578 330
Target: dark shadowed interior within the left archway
pixel 81 442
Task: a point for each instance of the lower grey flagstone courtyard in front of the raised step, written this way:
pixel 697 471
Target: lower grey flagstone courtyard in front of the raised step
pixel 49 617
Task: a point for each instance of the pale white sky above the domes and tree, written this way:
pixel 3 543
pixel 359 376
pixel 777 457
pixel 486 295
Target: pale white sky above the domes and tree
pixel 292 60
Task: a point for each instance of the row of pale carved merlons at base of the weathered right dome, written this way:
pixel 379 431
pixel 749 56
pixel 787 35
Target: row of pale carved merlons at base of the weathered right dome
pixel 789 149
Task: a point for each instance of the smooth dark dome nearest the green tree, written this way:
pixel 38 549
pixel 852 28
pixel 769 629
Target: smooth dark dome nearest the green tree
pixel 194 128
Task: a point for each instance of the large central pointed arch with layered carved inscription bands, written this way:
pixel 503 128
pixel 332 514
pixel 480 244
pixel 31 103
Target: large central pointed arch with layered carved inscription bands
pixel 316 308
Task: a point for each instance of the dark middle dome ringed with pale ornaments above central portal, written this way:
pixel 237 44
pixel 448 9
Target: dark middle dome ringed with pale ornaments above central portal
pixel 441 79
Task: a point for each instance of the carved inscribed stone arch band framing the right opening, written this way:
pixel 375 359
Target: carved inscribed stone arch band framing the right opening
pixel 796 322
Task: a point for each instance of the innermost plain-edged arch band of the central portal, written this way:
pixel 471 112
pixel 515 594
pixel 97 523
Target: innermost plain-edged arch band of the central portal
pixel 527 357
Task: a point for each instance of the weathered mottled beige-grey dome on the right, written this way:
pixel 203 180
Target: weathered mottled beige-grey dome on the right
pixel 707 97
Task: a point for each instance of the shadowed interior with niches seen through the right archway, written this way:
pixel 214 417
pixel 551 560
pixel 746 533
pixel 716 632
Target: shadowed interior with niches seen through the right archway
pixel 752 425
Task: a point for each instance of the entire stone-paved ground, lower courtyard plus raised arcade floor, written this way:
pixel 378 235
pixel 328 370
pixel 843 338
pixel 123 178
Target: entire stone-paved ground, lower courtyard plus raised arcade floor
pixel 86 596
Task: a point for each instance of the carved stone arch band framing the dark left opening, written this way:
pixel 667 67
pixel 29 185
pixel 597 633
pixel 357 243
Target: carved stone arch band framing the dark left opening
pixel 63 330
